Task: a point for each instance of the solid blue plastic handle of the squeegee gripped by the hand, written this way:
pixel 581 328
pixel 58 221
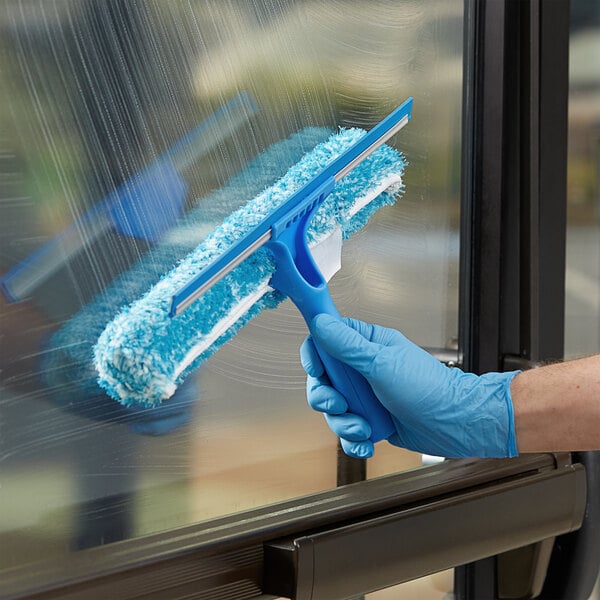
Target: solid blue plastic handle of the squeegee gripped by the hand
pixel 298 277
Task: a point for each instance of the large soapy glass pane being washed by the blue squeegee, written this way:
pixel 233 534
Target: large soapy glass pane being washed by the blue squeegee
pixel 90 93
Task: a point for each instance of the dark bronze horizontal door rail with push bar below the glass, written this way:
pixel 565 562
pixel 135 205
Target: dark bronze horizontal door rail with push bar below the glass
pixel 334 544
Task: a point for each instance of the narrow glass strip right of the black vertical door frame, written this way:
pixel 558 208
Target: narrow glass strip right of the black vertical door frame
pixel 582 325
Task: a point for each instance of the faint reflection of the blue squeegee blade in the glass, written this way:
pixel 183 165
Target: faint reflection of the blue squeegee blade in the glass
pixel 144 206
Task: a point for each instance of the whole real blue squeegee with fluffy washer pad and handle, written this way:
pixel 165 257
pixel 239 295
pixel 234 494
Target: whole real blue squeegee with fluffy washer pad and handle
pixel 147 350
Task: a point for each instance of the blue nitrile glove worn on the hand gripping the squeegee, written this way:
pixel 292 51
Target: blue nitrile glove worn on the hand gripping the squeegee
pixel 436 410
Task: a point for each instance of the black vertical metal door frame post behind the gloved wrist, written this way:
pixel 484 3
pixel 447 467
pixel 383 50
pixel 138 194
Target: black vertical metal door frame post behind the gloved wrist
pixel 513 243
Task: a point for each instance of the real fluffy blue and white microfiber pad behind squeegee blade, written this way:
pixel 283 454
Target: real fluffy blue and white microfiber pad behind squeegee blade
pixel 143 354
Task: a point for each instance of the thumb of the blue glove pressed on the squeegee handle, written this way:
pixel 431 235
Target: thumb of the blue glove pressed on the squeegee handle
pixel 344 343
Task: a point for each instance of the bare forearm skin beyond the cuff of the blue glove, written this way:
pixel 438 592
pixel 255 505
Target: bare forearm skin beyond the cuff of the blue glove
pixel 557 407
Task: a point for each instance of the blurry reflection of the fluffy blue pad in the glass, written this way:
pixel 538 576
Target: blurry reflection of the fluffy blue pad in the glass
pixel 67 359
